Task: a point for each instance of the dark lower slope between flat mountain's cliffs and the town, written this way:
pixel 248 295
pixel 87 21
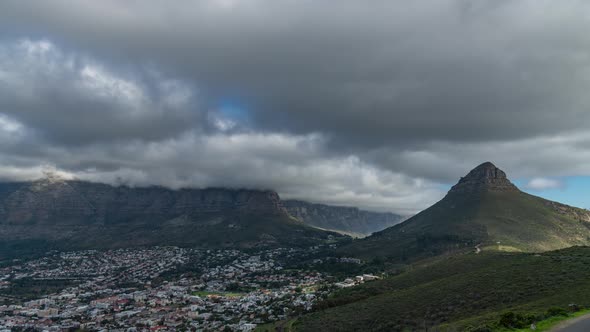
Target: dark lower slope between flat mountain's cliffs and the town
pixel 240 231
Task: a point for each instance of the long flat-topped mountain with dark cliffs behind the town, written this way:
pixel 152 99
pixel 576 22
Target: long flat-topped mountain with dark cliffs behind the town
pixel 55 213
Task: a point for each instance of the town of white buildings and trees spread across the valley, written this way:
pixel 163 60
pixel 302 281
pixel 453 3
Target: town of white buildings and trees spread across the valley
pixel 161 289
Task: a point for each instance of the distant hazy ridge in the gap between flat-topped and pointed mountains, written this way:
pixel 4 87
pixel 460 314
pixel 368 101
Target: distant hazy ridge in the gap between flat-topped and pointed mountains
pixel 348 220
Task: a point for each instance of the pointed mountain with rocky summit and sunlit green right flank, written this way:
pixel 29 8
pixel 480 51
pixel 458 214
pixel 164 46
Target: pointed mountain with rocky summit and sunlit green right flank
pixel 483 209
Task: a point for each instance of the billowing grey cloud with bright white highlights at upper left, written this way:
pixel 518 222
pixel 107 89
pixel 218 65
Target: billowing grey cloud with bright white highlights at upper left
pixel 74 99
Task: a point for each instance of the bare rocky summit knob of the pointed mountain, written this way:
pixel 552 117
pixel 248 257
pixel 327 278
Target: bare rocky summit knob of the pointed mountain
pixel 485 177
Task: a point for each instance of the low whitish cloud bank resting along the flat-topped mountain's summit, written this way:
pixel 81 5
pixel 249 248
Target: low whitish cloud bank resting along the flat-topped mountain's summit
pixel 293 165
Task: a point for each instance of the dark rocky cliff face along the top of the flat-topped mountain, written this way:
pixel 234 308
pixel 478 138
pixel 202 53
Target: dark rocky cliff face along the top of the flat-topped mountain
pixel 81 203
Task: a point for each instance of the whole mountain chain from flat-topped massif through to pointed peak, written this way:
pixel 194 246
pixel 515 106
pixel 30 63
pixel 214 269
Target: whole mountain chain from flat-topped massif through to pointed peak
pixel 483 209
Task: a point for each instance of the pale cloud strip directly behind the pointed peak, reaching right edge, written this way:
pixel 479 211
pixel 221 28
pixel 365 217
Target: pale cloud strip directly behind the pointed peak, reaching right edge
pixel 537 156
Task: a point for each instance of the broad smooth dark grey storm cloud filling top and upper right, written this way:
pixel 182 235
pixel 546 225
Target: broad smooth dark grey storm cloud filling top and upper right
pixel 367 73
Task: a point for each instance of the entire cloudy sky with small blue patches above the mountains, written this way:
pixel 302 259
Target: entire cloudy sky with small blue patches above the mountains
pixel 377 104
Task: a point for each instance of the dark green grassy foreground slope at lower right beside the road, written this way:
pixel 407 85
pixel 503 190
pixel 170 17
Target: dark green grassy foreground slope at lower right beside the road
pixel 459 291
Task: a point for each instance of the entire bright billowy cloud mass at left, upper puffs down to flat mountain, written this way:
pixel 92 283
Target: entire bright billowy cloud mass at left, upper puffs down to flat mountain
pixel 83 119
